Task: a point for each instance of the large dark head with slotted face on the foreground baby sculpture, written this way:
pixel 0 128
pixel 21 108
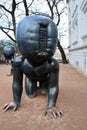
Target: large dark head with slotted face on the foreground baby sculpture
pixel 36 38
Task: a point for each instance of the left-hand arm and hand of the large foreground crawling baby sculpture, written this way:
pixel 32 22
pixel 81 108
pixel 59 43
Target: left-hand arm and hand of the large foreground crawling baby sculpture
pixel 16 87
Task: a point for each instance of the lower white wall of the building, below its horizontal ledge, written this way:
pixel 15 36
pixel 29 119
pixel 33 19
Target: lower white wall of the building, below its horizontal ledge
pixel 79 60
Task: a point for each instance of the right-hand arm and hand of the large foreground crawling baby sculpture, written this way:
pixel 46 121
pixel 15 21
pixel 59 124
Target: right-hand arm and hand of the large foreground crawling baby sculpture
pixel 53 91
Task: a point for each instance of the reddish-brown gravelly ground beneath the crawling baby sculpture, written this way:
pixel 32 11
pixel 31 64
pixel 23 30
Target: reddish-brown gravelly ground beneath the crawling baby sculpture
pixel 72 101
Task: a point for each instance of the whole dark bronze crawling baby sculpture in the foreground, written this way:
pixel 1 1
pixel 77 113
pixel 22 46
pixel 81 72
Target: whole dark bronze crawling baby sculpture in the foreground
pixel 37 38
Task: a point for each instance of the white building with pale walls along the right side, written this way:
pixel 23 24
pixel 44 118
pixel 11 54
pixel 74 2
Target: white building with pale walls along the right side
pixel 78 34
